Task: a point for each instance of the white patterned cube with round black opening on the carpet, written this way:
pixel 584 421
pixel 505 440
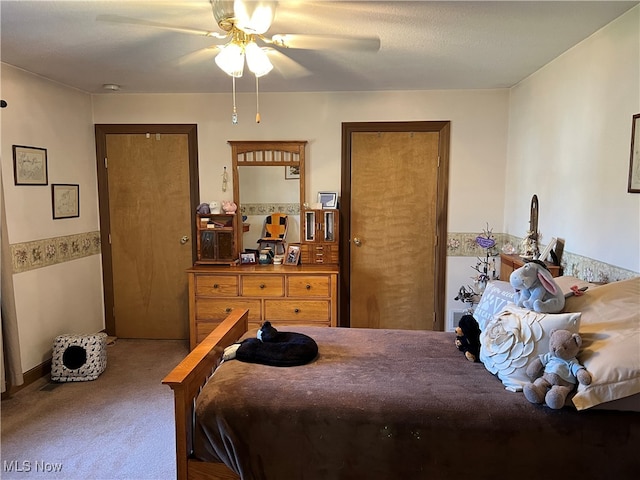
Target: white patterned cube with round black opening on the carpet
pixel 78 358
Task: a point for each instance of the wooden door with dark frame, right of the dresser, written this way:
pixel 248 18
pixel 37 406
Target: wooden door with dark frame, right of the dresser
pixel 396 212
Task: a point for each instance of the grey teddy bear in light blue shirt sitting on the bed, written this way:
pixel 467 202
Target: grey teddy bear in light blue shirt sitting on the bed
pixel 560 369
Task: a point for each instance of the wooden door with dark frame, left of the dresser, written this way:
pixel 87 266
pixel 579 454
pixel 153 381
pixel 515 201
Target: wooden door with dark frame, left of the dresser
pixel 147 199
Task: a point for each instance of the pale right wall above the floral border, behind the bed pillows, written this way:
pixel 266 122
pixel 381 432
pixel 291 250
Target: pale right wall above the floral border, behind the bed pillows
pixel 570 143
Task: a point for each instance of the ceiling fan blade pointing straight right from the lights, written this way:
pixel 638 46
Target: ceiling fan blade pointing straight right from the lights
pixel 323 42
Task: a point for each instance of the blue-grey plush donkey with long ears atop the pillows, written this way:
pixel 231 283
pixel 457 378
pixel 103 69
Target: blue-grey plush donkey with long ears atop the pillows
pixel 536 289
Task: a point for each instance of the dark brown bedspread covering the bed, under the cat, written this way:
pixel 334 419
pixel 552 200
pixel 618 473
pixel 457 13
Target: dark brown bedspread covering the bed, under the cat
pixel 387 404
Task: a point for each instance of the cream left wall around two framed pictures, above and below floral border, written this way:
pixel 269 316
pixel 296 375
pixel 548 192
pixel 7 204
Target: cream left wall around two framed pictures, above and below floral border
pixel 64 298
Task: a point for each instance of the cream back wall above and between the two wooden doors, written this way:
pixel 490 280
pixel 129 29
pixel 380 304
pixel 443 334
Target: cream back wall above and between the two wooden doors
pixel 478 135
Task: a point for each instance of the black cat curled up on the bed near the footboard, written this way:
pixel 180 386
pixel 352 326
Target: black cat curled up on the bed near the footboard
pixel 271 347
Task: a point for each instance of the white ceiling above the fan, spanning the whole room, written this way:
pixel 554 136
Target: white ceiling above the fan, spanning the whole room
pixel 423 44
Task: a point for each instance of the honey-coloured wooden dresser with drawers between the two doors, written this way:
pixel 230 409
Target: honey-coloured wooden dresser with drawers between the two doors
pixel 282 294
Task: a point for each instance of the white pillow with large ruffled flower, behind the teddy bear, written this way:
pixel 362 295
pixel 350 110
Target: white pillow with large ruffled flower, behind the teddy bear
pixel 515 336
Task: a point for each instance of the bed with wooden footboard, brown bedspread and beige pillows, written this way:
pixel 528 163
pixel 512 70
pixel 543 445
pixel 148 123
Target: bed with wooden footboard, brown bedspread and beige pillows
pixel 385 404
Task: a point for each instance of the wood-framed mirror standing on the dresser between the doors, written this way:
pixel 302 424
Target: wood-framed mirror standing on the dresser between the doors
pixel 268 177
